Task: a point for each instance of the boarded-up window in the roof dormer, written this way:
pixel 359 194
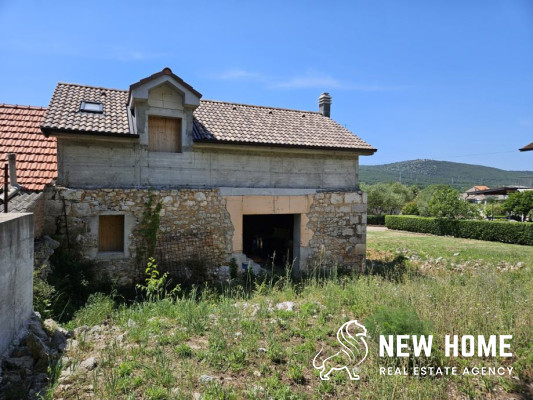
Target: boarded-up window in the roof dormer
pixel 164 134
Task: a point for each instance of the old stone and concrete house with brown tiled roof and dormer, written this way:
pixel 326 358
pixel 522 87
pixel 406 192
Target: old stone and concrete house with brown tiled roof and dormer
pixel 233 180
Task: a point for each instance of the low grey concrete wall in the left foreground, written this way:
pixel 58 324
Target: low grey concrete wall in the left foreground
pixel 16 275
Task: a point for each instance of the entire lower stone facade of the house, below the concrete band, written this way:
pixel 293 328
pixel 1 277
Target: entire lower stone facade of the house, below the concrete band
pixel 196 233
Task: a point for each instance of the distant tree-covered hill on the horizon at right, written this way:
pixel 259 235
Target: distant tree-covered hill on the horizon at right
pixel 428 172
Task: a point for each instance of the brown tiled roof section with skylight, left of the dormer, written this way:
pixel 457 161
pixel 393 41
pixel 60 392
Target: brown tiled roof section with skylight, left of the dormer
pixel 64 111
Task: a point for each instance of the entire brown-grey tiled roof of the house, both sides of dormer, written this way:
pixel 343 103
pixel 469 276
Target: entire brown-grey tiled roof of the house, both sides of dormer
pixel 215 121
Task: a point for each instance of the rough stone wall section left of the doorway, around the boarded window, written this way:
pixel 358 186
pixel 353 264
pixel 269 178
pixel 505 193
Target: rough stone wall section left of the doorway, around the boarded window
pixel 194 223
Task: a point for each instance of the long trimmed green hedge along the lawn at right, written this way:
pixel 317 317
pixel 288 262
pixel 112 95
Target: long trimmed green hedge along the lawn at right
pixel 495 231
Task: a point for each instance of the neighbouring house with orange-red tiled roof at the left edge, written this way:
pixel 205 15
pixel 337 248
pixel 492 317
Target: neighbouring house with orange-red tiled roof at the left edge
pixel 32 160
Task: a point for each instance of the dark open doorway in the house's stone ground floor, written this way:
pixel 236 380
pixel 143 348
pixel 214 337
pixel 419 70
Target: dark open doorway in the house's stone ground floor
pixel 269 239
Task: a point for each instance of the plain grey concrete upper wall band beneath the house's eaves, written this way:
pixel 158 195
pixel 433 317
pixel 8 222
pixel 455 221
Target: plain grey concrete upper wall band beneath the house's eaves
pixel 124 164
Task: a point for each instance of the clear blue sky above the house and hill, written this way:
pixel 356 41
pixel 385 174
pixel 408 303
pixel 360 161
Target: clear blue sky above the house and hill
pixel 446 80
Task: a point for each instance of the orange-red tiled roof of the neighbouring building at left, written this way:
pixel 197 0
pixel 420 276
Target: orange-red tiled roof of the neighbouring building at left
pixel 20 133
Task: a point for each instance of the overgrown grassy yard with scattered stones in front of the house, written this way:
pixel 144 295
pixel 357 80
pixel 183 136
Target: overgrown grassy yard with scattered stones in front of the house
pixel 238 344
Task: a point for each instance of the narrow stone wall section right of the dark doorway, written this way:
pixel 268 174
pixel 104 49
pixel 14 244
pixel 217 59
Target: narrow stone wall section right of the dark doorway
pixel 338 221
